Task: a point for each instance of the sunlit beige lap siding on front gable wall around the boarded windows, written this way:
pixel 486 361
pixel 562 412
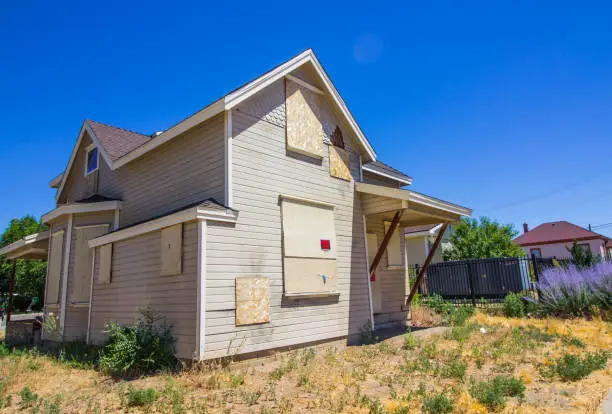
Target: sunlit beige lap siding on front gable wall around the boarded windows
pixel 262 171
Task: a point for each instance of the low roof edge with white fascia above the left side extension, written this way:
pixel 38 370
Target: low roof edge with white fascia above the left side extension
pixel 190 214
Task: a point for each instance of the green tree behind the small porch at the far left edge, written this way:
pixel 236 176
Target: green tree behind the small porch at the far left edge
pixel 30 274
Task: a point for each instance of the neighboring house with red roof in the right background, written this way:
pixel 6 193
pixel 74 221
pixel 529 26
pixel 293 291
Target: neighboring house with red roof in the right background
pixel 555 238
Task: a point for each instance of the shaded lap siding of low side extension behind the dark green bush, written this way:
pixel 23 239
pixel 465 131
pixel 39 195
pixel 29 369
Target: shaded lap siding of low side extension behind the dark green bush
pixel 136 283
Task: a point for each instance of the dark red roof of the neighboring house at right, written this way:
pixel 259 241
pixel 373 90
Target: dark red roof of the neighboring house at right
pixel 556 232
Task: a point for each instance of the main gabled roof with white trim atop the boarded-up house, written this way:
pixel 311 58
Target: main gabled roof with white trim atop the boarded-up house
pixel 119 146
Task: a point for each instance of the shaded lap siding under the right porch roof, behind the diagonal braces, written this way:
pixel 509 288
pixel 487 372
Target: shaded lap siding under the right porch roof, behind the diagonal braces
pixel 392 281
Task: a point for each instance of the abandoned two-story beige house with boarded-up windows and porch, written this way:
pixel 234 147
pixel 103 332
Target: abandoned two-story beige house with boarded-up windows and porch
pixel 252 225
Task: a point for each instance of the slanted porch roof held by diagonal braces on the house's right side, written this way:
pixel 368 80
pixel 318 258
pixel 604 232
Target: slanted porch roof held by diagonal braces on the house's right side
pixel 382 203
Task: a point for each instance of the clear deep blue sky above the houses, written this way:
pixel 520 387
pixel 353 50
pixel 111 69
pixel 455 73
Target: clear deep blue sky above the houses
pixel 504 107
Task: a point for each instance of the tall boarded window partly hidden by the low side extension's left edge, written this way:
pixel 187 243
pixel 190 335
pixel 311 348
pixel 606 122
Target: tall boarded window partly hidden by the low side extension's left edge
pixel 81 276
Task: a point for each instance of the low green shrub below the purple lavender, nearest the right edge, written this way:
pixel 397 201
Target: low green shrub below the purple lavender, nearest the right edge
pixel 571 367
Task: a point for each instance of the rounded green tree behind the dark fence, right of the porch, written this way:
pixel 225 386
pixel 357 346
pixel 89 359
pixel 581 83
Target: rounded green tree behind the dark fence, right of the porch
pixel 474 239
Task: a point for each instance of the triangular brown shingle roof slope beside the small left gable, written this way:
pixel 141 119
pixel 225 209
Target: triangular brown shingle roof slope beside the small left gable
pixel 117 142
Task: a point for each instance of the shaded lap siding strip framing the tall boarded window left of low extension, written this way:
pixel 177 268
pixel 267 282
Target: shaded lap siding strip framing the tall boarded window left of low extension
pixel 75 324
